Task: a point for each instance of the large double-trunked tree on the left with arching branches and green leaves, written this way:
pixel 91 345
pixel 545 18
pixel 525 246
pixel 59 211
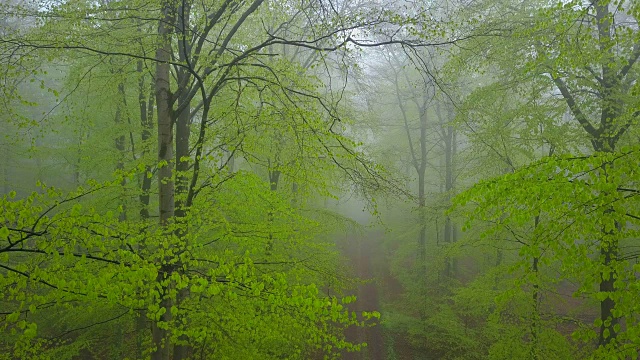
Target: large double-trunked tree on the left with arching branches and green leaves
pixel 195 275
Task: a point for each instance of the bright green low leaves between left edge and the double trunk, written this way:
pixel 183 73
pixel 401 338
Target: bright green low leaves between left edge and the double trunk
pixel 59 256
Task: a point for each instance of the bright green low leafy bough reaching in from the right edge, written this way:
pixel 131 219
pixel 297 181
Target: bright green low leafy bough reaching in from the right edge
pixel 571 213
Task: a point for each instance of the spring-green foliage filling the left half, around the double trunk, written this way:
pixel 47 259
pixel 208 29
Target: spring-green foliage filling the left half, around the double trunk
pixel 234 271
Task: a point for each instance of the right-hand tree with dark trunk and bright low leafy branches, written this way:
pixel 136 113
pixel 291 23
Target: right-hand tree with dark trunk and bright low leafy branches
pixel 592 81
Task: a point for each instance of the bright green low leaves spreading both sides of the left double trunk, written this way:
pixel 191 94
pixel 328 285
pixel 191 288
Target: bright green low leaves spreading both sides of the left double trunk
pixel 92 266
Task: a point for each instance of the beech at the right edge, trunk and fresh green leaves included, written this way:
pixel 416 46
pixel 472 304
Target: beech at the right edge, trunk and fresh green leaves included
pixel 595 112
